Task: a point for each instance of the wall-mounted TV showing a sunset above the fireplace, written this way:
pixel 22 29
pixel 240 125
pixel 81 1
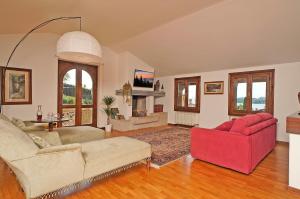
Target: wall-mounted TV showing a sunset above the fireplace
pixel 143 78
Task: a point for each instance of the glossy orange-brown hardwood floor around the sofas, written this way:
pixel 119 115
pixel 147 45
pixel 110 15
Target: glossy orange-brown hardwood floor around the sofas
pixel 184 178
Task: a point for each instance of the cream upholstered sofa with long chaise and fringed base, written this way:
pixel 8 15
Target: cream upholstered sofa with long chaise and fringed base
pixel 41 171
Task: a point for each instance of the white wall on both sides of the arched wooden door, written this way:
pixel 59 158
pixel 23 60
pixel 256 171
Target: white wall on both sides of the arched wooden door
pixel 38 53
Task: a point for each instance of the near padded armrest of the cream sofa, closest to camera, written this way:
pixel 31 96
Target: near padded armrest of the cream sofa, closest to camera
pixel 50 169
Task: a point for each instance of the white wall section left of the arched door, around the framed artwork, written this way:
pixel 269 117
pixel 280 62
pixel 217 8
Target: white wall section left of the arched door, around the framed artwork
pixel 36 53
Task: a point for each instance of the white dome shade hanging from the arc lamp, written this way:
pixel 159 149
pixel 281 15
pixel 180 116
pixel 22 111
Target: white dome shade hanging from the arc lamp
pixel 79 47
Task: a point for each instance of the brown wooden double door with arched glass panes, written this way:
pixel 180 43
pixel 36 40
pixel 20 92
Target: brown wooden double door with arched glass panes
pixel 77 93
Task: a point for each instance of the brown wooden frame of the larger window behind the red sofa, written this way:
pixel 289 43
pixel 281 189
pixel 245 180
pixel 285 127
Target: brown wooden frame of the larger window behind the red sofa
pixel 249 76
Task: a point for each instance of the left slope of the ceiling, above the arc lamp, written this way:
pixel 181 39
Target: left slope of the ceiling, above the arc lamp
pixel 110 21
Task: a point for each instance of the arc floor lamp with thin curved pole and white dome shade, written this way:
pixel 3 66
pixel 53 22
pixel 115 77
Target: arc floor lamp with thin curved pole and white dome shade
pixel 75 46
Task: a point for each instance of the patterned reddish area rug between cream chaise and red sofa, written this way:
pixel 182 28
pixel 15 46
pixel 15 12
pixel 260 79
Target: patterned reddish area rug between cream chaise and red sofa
pixel 167 144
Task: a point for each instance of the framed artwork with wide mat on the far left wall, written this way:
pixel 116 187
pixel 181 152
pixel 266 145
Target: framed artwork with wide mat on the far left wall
pixel 16 86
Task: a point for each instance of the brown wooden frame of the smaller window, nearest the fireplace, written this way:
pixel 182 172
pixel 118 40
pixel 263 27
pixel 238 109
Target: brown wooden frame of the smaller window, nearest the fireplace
pixel 186 81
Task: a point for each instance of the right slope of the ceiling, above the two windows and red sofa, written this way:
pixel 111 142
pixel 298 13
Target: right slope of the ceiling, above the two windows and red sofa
pixel 231 34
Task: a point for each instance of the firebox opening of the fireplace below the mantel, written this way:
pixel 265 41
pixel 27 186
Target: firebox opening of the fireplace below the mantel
pixel 139 106
